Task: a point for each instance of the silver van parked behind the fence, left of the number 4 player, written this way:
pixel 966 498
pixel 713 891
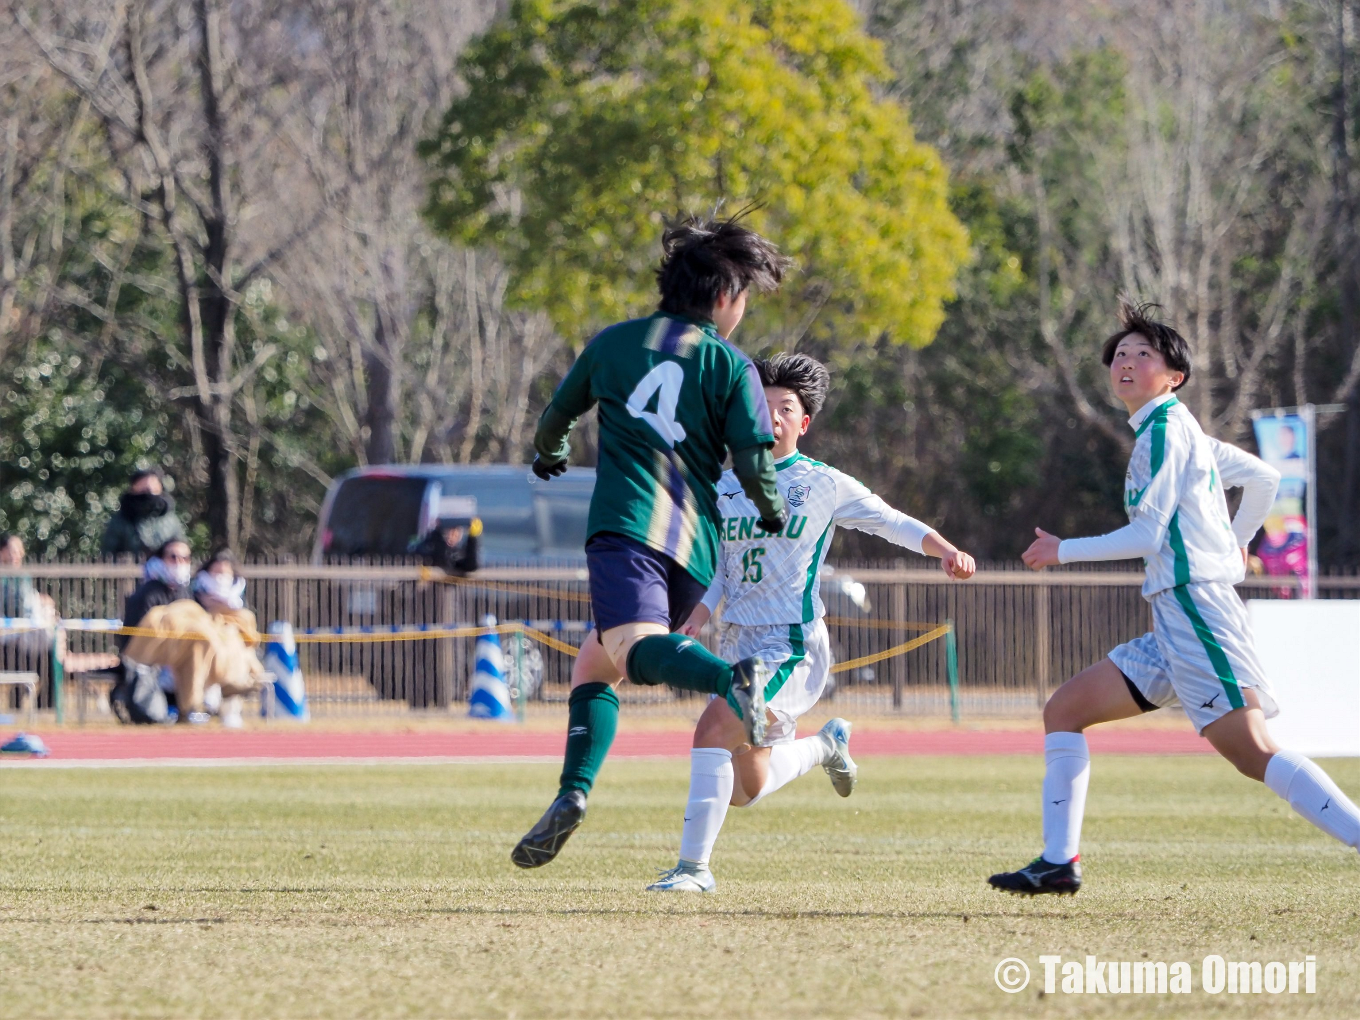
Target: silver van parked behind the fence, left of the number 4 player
pixel 458 516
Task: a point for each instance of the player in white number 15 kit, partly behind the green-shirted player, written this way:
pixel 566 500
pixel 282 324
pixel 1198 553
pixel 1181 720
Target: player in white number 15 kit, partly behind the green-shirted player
pixel 775 611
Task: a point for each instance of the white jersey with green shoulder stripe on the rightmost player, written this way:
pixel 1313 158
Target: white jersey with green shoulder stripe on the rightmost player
pixel 1174 482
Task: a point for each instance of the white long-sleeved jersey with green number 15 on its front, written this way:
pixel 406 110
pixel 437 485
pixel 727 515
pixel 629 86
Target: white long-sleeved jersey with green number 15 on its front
pixel 776 579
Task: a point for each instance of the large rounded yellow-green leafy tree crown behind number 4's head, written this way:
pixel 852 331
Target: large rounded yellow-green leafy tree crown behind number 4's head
pixel 585 123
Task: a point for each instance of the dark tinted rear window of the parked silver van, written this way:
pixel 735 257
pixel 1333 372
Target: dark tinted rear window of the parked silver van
pixel 375 516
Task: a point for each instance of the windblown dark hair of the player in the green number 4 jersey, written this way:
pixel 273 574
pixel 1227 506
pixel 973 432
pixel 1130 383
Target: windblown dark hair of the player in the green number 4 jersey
pixel 704 259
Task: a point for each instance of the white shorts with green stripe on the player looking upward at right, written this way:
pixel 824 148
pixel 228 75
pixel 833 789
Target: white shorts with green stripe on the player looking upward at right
pixel 1200 653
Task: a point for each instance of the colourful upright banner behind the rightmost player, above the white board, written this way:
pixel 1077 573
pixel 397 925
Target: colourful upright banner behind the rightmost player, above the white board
pixel 1289 545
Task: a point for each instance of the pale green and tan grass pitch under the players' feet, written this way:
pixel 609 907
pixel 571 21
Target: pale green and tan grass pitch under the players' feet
pixel 387 891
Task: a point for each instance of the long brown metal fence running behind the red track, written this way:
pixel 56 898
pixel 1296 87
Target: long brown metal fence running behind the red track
pixel 1019 634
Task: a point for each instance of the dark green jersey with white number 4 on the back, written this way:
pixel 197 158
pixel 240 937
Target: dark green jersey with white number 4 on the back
pixel 674 399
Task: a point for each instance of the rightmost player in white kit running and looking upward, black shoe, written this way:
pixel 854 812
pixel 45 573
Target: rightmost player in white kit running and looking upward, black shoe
pixel 1200 652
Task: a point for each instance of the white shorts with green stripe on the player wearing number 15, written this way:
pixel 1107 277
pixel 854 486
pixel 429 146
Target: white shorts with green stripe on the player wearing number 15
pixel 799 656
